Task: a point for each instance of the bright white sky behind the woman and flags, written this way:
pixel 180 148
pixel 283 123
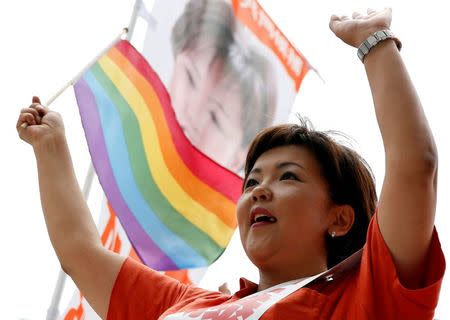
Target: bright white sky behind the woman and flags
pixel 45 43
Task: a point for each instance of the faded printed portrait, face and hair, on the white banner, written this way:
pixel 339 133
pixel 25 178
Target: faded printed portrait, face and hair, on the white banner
pixel 223 92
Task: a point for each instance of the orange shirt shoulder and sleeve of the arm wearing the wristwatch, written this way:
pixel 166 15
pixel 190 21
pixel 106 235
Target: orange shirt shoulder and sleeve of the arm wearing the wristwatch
pixel 372 287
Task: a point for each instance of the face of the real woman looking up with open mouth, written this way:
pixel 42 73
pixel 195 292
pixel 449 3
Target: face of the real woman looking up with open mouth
pixel 283 211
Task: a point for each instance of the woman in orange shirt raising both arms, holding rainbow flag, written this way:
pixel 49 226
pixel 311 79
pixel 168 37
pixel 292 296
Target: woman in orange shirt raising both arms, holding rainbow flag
pixel 305 206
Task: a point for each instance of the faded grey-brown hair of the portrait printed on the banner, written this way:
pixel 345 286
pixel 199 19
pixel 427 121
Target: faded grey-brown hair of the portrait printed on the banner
pixel 211 25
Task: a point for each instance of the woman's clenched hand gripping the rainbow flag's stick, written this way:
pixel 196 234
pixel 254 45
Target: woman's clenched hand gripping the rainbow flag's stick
pixel 37 124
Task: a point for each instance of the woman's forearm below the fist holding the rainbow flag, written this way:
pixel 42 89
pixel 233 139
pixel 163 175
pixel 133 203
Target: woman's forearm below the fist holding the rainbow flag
pixel 69 222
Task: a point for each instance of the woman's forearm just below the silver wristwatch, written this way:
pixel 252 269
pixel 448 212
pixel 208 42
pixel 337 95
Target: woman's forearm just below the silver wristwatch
pixel 407 138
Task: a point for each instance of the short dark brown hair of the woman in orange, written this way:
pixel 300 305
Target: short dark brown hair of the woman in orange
pixel 349 178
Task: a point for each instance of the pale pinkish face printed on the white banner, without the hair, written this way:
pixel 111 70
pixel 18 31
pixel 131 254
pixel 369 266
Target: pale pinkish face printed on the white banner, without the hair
pixel 208 111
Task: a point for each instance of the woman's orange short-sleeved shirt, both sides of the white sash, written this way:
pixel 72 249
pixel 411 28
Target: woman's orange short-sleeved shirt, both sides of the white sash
pixel 371 290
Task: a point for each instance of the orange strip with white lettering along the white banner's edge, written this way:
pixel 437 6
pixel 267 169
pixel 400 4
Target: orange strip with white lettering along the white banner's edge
pixel 251 14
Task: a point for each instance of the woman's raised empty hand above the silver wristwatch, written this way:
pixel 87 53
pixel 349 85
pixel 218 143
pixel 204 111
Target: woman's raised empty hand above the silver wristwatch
pixel 353 31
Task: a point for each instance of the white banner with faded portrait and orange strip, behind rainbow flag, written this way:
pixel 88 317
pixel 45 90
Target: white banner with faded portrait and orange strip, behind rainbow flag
pixel 228 69
